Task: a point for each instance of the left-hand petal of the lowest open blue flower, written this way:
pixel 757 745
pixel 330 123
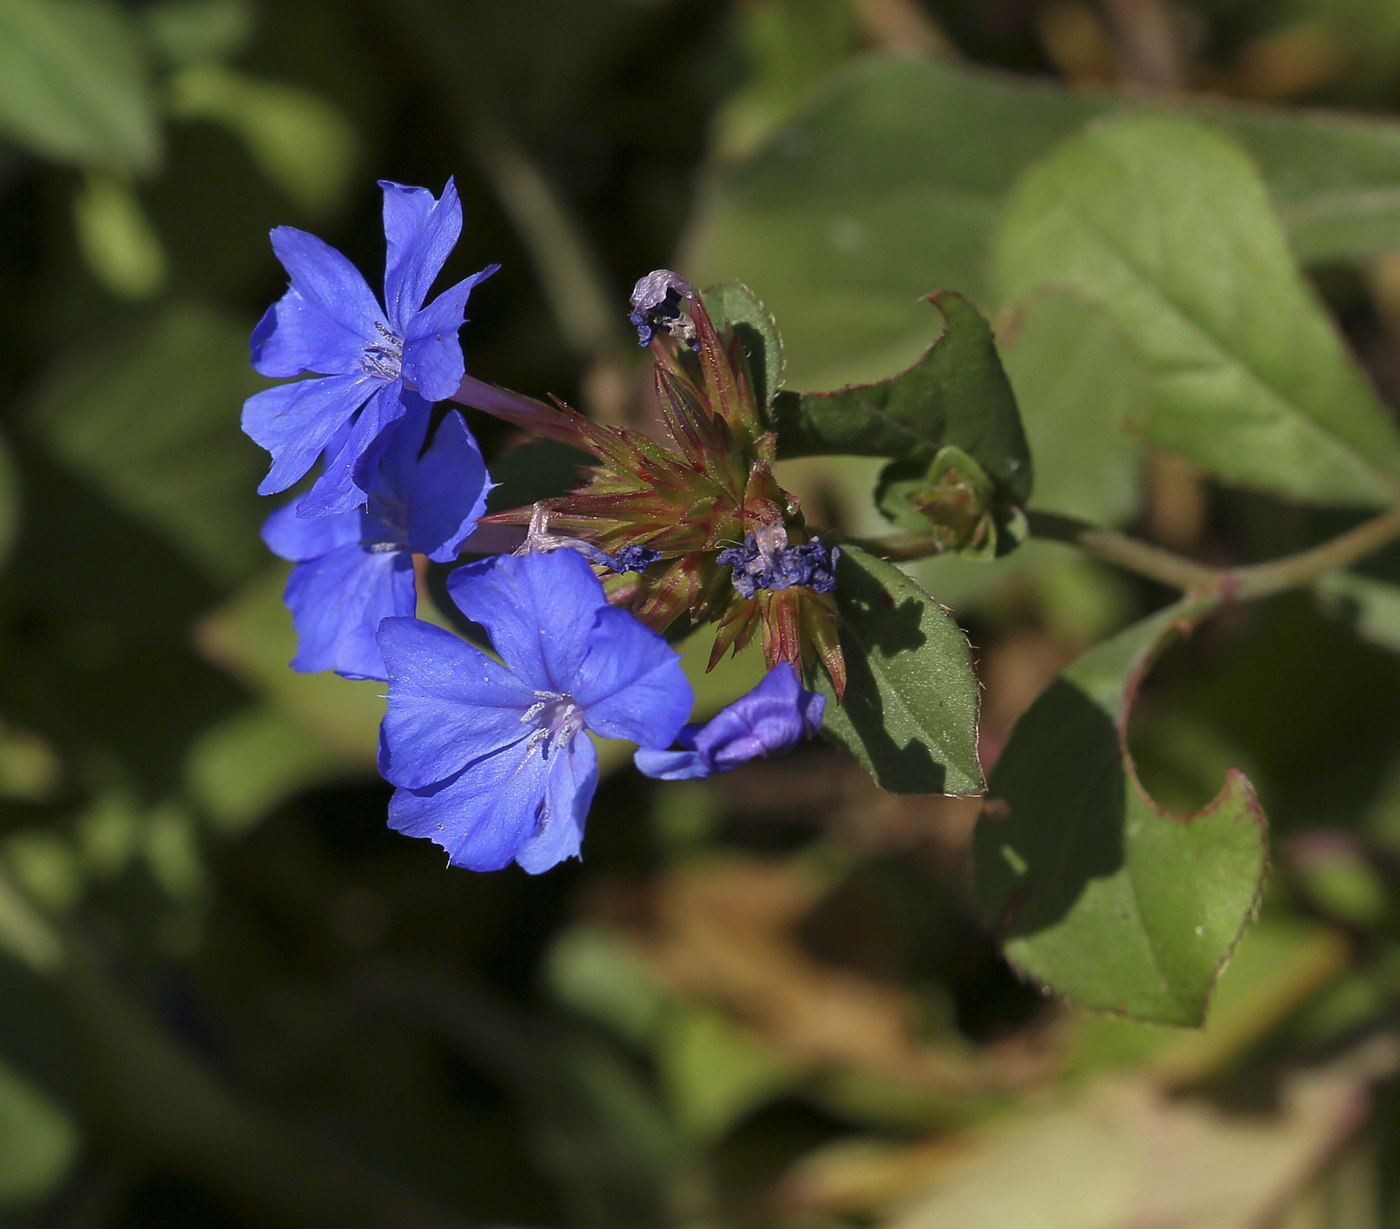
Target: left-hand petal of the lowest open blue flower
pixel 449 705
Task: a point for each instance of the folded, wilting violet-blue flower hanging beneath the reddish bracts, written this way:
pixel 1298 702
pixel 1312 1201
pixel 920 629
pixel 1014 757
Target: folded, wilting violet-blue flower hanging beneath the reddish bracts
pixel 768 722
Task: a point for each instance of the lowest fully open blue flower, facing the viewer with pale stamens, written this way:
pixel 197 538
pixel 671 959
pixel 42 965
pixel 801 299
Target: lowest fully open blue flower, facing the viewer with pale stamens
pixel 492 762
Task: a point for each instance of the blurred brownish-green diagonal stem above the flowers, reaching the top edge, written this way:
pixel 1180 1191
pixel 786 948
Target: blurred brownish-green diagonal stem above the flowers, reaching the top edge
pixel 570 274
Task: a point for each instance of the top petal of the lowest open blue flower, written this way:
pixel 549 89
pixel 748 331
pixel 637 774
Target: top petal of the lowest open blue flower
pixel 538 610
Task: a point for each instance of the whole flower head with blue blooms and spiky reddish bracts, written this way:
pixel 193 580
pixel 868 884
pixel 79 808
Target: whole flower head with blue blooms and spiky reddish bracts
pixel 493 759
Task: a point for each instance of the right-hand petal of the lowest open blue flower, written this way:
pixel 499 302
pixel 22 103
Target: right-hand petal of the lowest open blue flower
pixel 631 684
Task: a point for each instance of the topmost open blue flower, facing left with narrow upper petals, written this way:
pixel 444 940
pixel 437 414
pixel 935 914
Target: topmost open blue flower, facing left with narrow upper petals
pixel 363 355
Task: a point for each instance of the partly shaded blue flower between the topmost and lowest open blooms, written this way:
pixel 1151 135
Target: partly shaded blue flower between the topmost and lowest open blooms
pixel 355 569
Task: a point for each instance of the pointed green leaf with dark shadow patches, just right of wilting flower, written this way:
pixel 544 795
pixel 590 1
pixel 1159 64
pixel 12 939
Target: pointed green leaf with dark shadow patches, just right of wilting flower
pixel 911 708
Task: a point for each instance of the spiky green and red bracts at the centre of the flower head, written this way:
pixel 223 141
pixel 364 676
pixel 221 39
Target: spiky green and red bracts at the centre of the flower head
pixel 692 499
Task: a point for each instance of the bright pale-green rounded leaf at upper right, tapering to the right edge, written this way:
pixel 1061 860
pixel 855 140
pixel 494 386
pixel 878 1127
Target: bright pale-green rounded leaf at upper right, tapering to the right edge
pixel 1168 227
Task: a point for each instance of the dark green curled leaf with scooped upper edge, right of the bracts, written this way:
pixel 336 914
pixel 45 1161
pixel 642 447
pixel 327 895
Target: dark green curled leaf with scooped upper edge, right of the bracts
pixel 957 394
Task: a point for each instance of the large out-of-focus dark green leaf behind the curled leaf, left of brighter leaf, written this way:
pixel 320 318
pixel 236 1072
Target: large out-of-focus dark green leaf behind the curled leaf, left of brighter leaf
pixel 884 191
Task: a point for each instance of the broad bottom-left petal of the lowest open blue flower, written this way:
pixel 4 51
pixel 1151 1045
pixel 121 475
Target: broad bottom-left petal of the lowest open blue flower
pixel 485 815
